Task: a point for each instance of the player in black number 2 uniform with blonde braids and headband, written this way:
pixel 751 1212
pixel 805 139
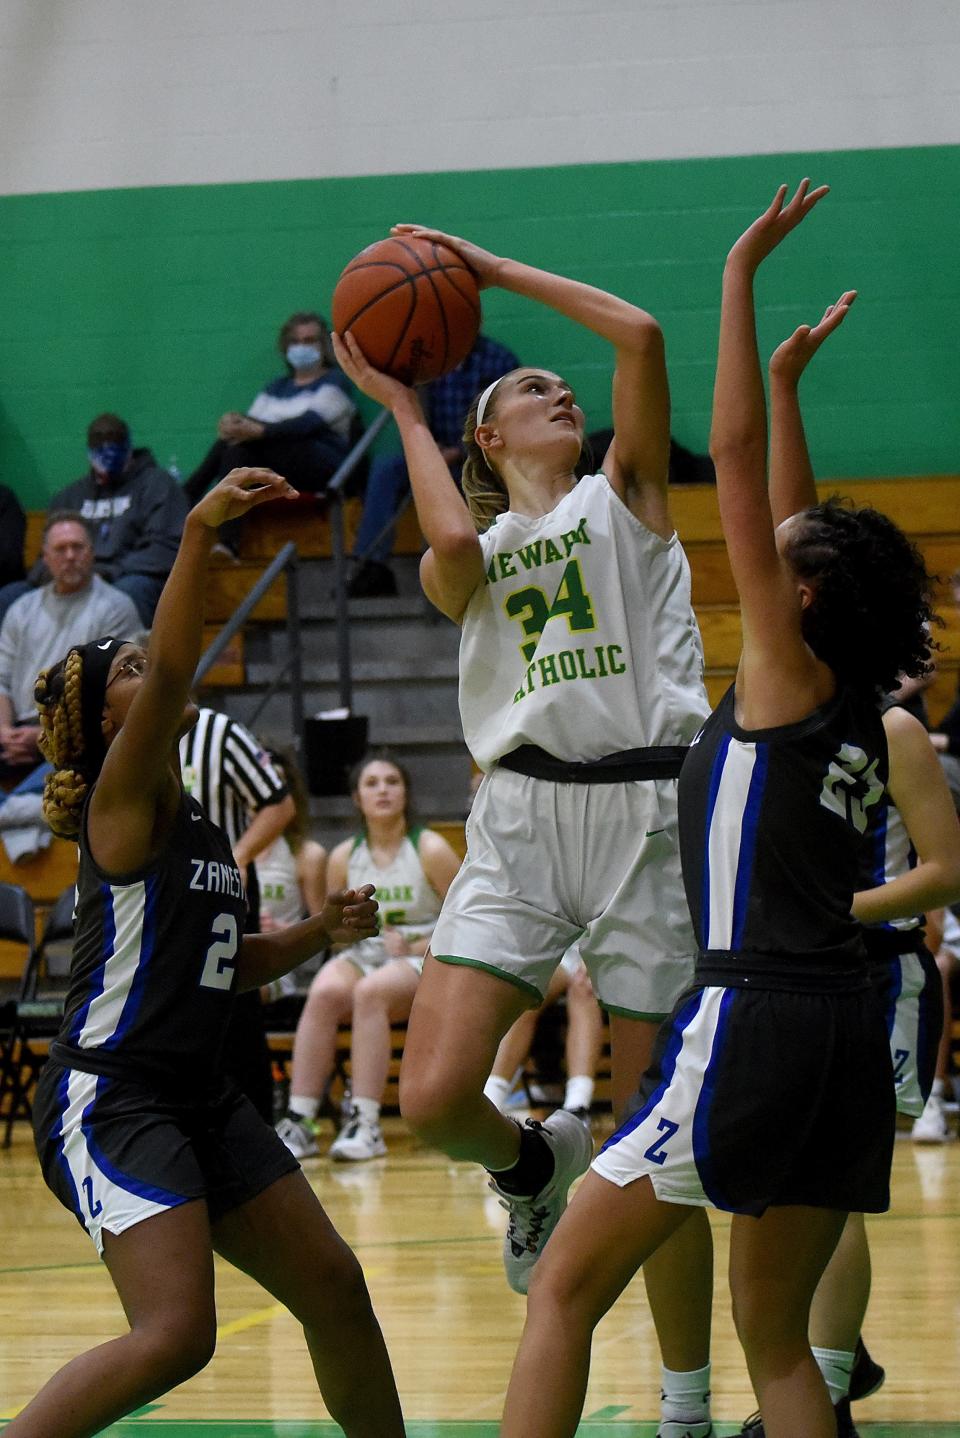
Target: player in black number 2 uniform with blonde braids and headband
pixel 162 1160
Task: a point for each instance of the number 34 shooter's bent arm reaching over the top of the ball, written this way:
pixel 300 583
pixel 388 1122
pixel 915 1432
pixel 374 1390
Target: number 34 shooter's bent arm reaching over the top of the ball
pixel 637 461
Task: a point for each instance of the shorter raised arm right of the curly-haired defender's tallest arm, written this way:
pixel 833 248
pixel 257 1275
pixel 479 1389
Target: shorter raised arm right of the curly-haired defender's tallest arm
pixel 793 484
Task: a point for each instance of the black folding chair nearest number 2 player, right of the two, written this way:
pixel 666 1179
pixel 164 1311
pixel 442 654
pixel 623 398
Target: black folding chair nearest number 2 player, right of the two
pixel 40 1009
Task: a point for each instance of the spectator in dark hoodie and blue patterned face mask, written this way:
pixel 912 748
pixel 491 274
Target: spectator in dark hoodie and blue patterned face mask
pixel 136 508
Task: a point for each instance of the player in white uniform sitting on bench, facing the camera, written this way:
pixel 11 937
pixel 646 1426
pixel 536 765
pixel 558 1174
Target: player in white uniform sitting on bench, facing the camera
pixel 370 984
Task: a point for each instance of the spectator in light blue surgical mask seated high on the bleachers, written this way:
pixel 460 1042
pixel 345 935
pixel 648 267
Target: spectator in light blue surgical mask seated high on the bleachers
pixel 300 425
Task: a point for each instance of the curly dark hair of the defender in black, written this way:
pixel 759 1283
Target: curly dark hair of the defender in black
pixel 872 613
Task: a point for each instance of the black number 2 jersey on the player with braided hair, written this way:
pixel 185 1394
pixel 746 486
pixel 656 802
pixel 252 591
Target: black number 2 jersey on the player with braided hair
pixel 154 960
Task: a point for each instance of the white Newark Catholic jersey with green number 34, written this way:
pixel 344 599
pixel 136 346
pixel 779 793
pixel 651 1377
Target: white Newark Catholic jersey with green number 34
pixel 583 639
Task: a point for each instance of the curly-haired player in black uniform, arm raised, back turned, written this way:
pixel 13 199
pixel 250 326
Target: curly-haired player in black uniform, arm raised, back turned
pixel 771 1094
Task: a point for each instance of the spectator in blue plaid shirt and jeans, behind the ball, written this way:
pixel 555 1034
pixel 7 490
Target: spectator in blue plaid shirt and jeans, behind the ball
pixel 448 402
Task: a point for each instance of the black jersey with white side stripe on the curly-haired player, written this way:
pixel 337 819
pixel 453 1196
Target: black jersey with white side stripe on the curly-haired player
pixel 772 828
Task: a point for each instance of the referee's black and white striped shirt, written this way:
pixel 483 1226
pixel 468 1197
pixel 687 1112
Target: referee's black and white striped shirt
pixel 228 773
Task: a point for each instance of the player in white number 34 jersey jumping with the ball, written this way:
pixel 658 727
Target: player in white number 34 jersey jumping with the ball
pixel 581 685
